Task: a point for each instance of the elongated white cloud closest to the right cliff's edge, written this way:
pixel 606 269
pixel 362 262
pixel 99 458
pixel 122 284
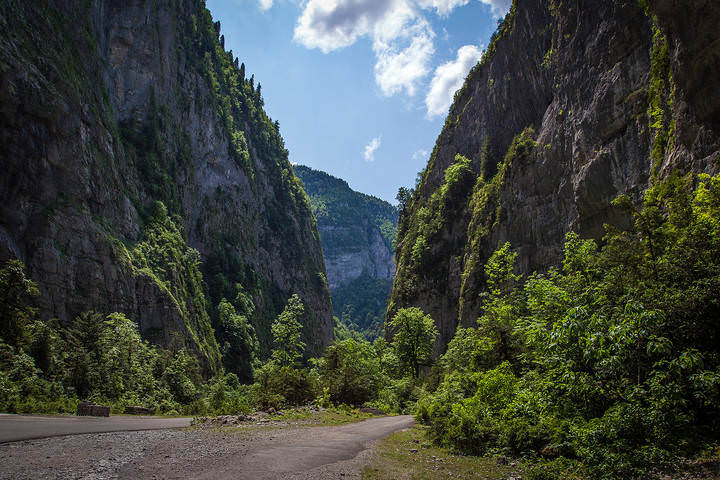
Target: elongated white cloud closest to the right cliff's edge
pixel 448 78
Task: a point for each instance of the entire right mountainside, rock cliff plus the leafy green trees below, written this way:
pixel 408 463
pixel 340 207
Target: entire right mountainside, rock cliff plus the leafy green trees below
pixel 564 239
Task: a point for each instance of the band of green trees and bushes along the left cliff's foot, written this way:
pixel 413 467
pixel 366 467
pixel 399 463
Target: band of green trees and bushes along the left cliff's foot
pixel 48 368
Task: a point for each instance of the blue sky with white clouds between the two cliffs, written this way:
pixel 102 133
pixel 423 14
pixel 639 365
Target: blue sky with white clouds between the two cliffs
pixel 361 88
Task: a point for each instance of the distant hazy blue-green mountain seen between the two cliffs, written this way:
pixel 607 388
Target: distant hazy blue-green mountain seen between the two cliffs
pixel 358 234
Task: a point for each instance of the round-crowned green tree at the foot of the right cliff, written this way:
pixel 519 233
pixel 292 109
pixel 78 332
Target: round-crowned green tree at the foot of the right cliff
pixel 414 335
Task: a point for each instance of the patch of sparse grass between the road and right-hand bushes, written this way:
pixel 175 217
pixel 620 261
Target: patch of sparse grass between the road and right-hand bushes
pixel 409 455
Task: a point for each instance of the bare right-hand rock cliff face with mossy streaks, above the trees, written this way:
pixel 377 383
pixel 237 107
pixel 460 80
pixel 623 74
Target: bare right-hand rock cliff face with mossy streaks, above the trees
pixel 573 104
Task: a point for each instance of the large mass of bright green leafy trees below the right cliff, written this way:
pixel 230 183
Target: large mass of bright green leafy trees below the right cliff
pixel 612 361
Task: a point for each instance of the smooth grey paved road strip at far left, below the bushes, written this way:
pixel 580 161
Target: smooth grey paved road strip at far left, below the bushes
pixel 29 427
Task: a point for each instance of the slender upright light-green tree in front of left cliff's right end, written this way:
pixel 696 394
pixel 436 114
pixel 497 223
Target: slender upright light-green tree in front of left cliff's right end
pixel 287 330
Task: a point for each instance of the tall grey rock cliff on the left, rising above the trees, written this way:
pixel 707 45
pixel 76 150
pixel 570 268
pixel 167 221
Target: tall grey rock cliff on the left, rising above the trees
pixel 108 106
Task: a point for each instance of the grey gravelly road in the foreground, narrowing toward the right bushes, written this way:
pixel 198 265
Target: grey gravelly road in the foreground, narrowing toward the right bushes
pixel 255 452
